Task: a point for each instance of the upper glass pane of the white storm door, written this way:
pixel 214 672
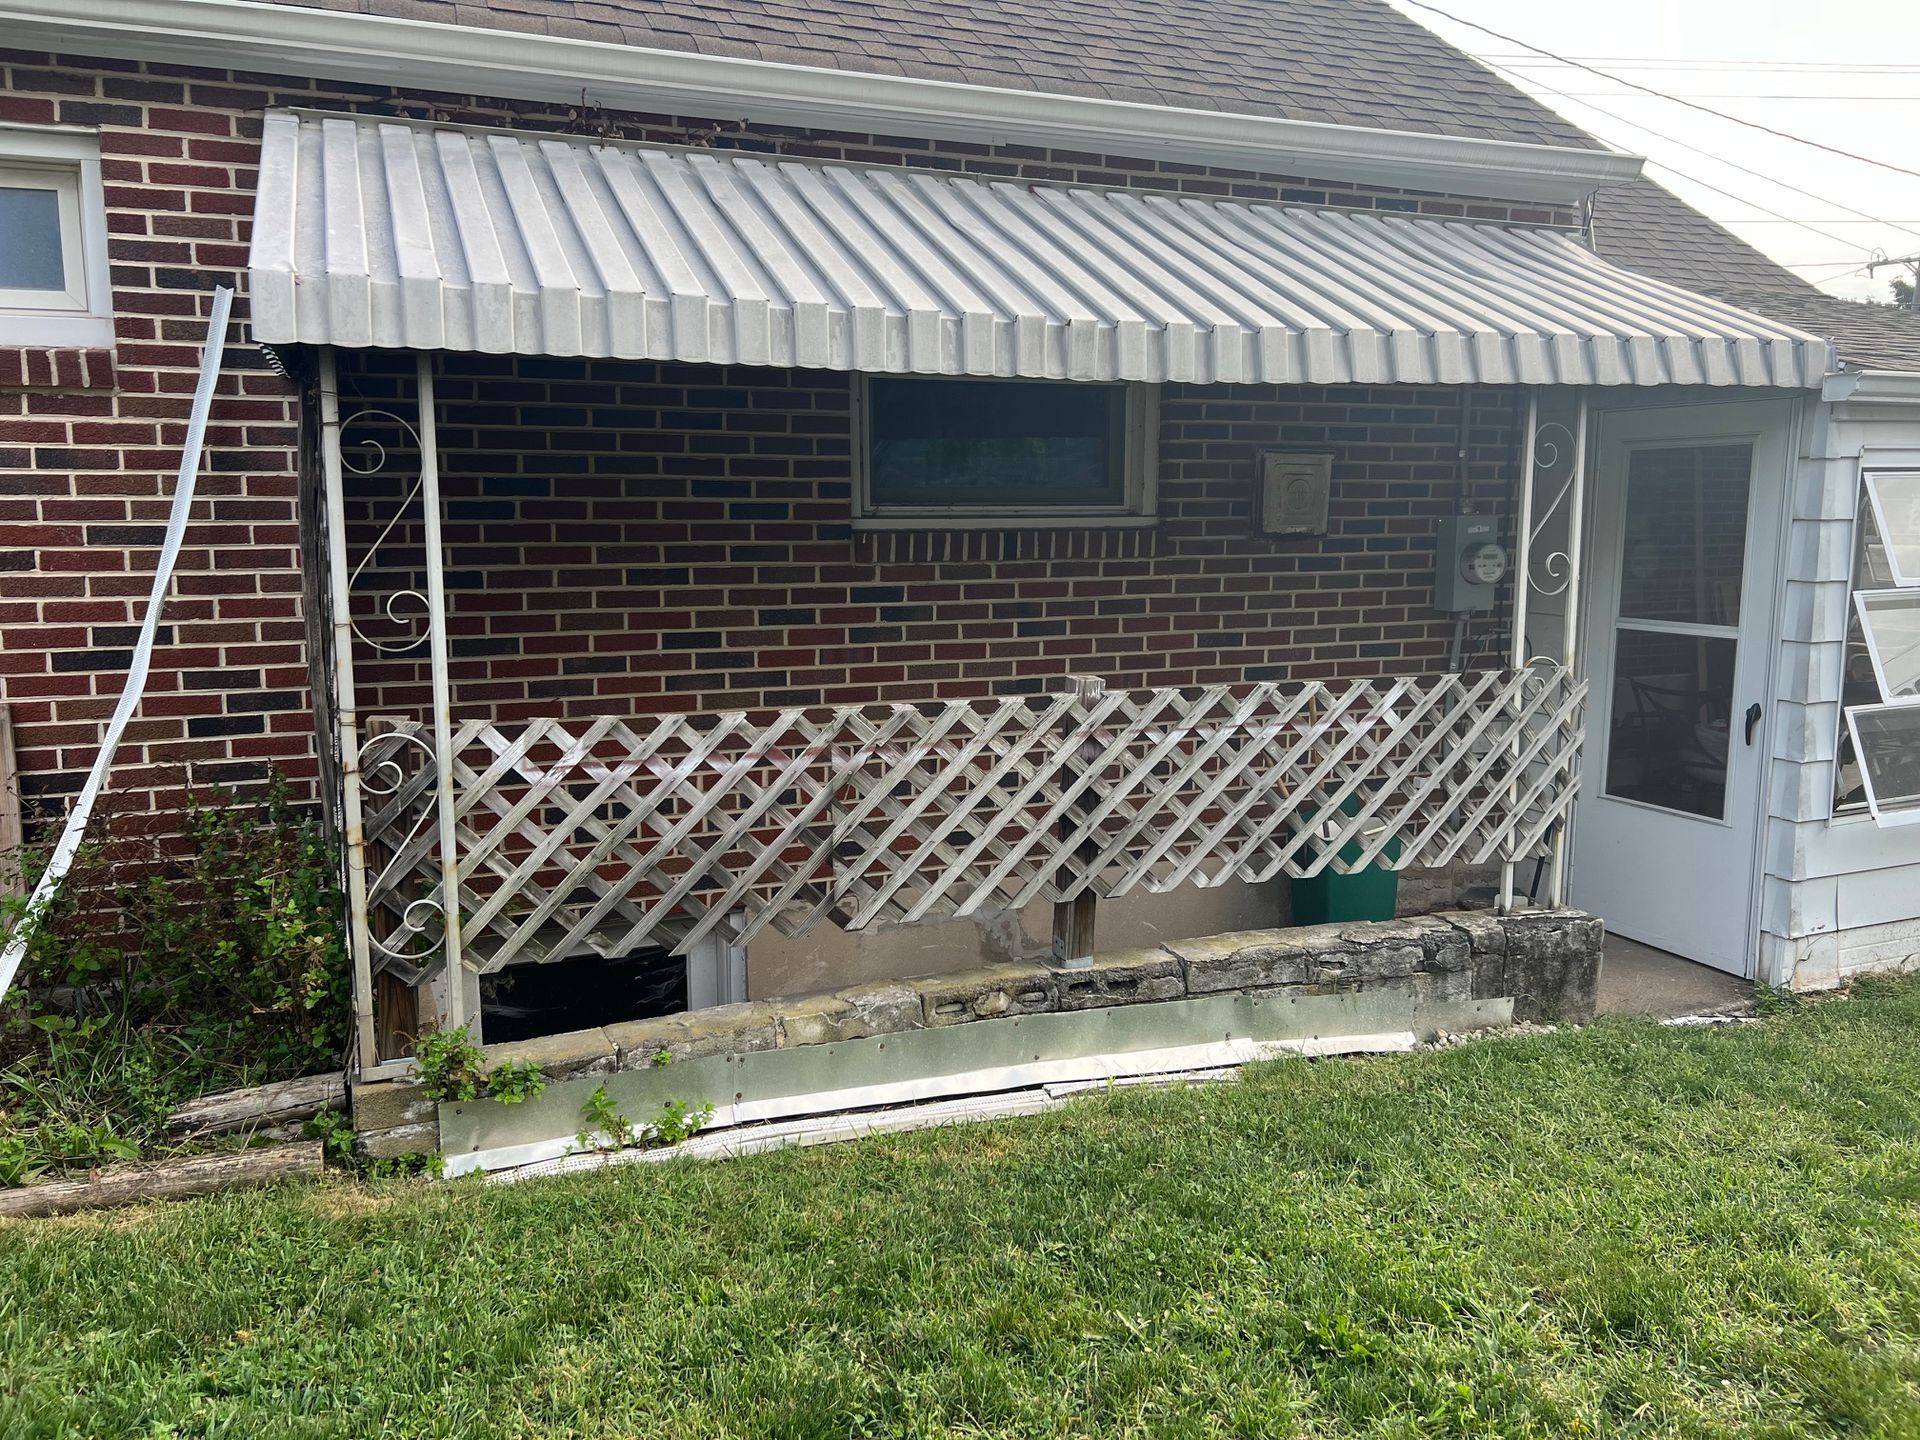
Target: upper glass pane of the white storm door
pixel 1687 533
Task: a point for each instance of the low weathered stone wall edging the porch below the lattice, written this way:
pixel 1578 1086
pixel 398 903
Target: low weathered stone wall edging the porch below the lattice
pixel 1548 961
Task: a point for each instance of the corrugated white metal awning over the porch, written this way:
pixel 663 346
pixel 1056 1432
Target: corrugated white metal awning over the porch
pixel 427 237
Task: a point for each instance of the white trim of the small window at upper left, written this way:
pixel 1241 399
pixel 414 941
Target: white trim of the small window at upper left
pixel 84 316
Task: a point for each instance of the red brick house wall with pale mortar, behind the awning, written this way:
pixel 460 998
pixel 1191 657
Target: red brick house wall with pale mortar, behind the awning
pixel 89 444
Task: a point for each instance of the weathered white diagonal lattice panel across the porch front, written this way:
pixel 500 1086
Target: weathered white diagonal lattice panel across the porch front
pixel 615 834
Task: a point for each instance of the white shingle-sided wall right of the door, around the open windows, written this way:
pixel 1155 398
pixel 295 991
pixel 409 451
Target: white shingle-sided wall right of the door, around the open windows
pixel 1838 894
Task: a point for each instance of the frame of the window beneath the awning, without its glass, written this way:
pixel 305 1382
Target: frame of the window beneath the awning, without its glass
pixel 1141 468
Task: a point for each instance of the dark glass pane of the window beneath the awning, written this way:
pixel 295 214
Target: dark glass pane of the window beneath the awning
pixel 996 443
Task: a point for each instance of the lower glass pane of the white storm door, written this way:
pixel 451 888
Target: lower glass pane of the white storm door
pixel 1673 698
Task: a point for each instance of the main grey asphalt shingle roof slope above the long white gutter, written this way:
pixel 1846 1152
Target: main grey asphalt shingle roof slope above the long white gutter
pixel 1345 62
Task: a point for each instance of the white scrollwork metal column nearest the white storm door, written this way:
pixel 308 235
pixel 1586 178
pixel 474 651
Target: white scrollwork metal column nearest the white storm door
pixel 1556 573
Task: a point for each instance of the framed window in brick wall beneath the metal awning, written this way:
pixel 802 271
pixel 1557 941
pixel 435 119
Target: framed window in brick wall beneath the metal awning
pixel 934 452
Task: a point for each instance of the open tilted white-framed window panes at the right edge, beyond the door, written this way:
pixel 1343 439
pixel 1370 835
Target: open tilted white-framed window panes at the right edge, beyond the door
pixel 1879 761
